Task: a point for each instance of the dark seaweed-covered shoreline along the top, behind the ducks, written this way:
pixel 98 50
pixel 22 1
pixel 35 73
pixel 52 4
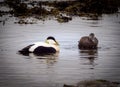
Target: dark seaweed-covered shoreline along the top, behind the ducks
pixel 62 11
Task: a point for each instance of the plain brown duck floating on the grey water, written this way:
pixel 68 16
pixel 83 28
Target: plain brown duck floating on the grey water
pixel 88 42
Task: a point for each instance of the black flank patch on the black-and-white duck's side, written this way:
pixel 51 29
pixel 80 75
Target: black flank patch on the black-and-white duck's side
pixel 41 50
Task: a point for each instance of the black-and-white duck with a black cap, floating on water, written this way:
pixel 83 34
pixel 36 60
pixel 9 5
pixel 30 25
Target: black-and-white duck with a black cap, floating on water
pixel 50 46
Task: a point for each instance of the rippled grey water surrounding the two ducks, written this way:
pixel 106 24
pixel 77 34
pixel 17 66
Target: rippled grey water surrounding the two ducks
pixel 71 65
